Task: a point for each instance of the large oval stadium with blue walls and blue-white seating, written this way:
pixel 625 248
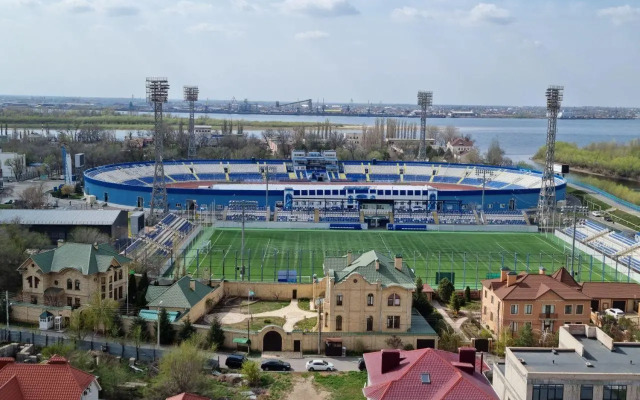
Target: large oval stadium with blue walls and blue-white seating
pixel 373 192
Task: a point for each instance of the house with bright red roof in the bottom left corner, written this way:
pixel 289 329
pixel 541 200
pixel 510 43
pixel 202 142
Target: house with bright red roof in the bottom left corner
pixel 54 380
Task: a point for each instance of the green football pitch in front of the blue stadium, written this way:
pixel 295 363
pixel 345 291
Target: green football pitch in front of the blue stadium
pixel 467 257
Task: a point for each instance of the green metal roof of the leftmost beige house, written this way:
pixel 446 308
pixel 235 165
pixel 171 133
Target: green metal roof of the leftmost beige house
pixel 86 258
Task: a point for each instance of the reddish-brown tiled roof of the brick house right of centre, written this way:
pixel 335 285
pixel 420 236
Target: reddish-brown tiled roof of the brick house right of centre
pixel 532 286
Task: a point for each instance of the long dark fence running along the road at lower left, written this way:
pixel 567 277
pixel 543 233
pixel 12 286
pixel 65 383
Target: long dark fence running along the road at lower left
pixel 114 348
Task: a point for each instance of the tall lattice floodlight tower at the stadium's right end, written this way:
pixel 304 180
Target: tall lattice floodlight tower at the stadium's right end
pixel 547 200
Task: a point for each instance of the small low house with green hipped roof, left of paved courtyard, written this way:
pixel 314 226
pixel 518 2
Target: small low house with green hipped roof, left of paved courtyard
pixel 179 297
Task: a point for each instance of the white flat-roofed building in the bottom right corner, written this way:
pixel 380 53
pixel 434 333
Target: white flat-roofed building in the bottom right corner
pixel 588 364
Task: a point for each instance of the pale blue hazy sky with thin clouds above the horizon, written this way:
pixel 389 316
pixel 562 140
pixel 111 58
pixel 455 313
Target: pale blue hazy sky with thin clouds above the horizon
pixel 466 52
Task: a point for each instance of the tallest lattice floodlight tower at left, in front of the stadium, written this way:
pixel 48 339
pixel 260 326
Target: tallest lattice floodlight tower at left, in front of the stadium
pixel 158 93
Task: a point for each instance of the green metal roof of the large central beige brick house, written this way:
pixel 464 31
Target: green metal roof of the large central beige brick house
pixel 365 265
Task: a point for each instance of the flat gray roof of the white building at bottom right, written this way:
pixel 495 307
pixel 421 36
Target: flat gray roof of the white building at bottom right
pixel 569 361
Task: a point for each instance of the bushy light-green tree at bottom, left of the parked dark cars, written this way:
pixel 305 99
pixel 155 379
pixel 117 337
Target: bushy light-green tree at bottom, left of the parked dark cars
pixel 180 370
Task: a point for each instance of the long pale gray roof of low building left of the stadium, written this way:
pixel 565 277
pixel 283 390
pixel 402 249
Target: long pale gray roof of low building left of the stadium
pixel 60 217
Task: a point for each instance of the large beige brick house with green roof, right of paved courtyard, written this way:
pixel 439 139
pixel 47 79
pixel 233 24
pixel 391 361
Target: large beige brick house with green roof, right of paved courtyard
pixel 369 293
